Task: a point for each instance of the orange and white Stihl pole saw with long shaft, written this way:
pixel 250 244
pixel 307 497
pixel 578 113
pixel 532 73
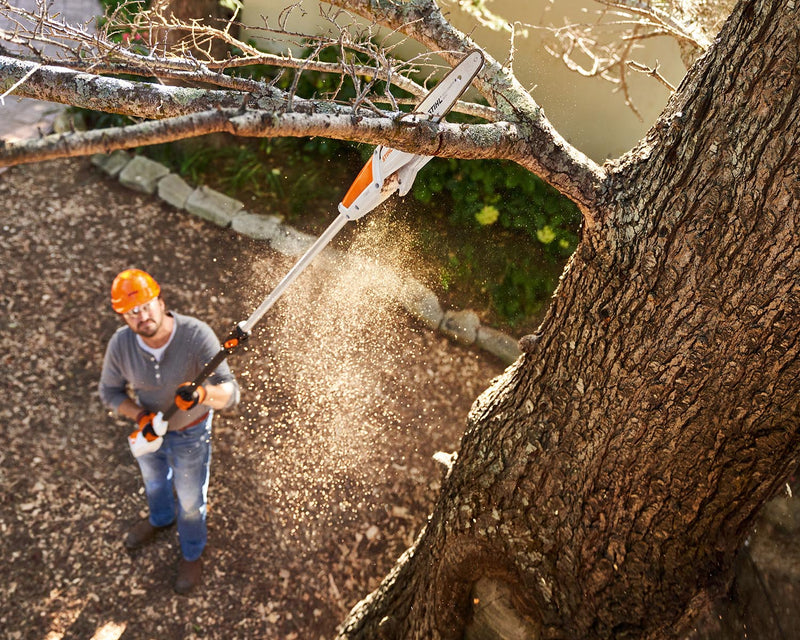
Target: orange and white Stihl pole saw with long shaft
pixel 387 170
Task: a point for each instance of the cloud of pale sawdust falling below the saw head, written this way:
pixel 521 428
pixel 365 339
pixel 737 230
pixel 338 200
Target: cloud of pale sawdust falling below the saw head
pixel 333 396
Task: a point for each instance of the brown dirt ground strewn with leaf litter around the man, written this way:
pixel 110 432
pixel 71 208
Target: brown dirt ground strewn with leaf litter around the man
pixel 320 479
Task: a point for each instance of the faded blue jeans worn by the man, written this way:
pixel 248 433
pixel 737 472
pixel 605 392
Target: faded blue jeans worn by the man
pixel 181 464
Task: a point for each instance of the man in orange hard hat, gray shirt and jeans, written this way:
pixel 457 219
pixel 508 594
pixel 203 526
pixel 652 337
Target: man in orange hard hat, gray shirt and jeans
pixel 153 356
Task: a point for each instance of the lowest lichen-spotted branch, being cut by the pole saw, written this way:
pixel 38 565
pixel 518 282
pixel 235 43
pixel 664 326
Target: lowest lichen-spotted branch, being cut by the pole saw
pixel 574 175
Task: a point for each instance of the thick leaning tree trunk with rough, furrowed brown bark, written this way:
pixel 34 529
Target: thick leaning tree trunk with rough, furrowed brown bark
pixel 606 481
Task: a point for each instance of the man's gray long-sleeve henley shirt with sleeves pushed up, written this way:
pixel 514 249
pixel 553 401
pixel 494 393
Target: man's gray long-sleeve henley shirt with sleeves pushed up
pixel 193 344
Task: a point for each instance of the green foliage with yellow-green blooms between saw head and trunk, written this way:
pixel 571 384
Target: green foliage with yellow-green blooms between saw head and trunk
pixel 513 232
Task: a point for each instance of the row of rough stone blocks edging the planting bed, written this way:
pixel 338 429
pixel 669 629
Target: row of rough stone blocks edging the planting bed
pixel 153 178
